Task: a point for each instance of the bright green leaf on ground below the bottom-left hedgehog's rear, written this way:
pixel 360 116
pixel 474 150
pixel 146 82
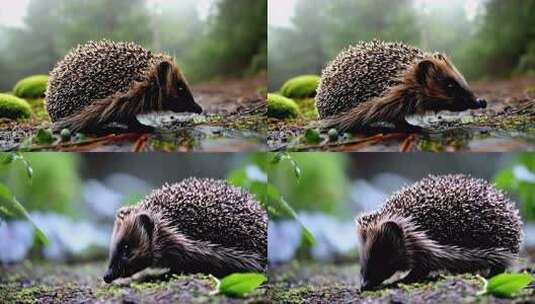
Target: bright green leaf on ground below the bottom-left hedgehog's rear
pixel 240 284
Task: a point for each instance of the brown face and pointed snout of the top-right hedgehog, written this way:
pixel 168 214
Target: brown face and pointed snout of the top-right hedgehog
pixel 442 87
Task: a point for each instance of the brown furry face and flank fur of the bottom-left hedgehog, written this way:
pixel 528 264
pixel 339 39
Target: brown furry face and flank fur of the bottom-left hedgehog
pixel 155 242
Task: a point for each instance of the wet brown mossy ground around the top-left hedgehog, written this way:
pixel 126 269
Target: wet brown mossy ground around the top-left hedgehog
pixel 233 121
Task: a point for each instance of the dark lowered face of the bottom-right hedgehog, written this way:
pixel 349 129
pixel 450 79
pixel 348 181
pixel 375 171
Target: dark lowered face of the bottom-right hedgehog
pixel 382 254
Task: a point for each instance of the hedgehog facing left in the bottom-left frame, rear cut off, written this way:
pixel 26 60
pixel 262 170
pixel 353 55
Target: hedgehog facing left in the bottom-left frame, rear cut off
pixel 199 225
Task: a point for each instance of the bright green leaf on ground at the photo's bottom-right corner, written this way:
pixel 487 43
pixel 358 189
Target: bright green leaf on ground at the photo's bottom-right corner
pixel 506 285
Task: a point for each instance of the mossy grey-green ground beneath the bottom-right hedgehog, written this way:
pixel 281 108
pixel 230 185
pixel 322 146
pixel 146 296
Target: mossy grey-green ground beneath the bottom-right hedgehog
pixel 338 283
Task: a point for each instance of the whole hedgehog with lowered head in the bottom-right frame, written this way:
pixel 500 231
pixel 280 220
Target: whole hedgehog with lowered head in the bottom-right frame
pixel 452 223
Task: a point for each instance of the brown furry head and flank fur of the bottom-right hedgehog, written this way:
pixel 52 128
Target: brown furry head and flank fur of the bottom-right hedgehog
pixel 394 244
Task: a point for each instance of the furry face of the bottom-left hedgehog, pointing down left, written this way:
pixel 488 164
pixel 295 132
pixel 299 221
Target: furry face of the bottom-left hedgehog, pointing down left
pixel 130 249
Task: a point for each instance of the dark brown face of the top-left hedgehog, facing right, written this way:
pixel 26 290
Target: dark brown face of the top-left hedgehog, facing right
pixel 175 91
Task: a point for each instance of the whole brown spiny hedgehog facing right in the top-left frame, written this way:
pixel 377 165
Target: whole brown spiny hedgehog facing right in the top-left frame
pixel 107 82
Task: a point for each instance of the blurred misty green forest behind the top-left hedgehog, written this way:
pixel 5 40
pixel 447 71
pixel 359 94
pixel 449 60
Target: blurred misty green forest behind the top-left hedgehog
pixel 224 40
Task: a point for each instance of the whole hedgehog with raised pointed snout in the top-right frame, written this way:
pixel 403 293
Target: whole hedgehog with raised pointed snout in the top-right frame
pixel 381 82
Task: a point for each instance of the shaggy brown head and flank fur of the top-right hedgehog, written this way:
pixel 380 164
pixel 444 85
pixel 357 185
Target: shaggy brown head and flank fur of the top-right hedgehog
pixel 417 92
